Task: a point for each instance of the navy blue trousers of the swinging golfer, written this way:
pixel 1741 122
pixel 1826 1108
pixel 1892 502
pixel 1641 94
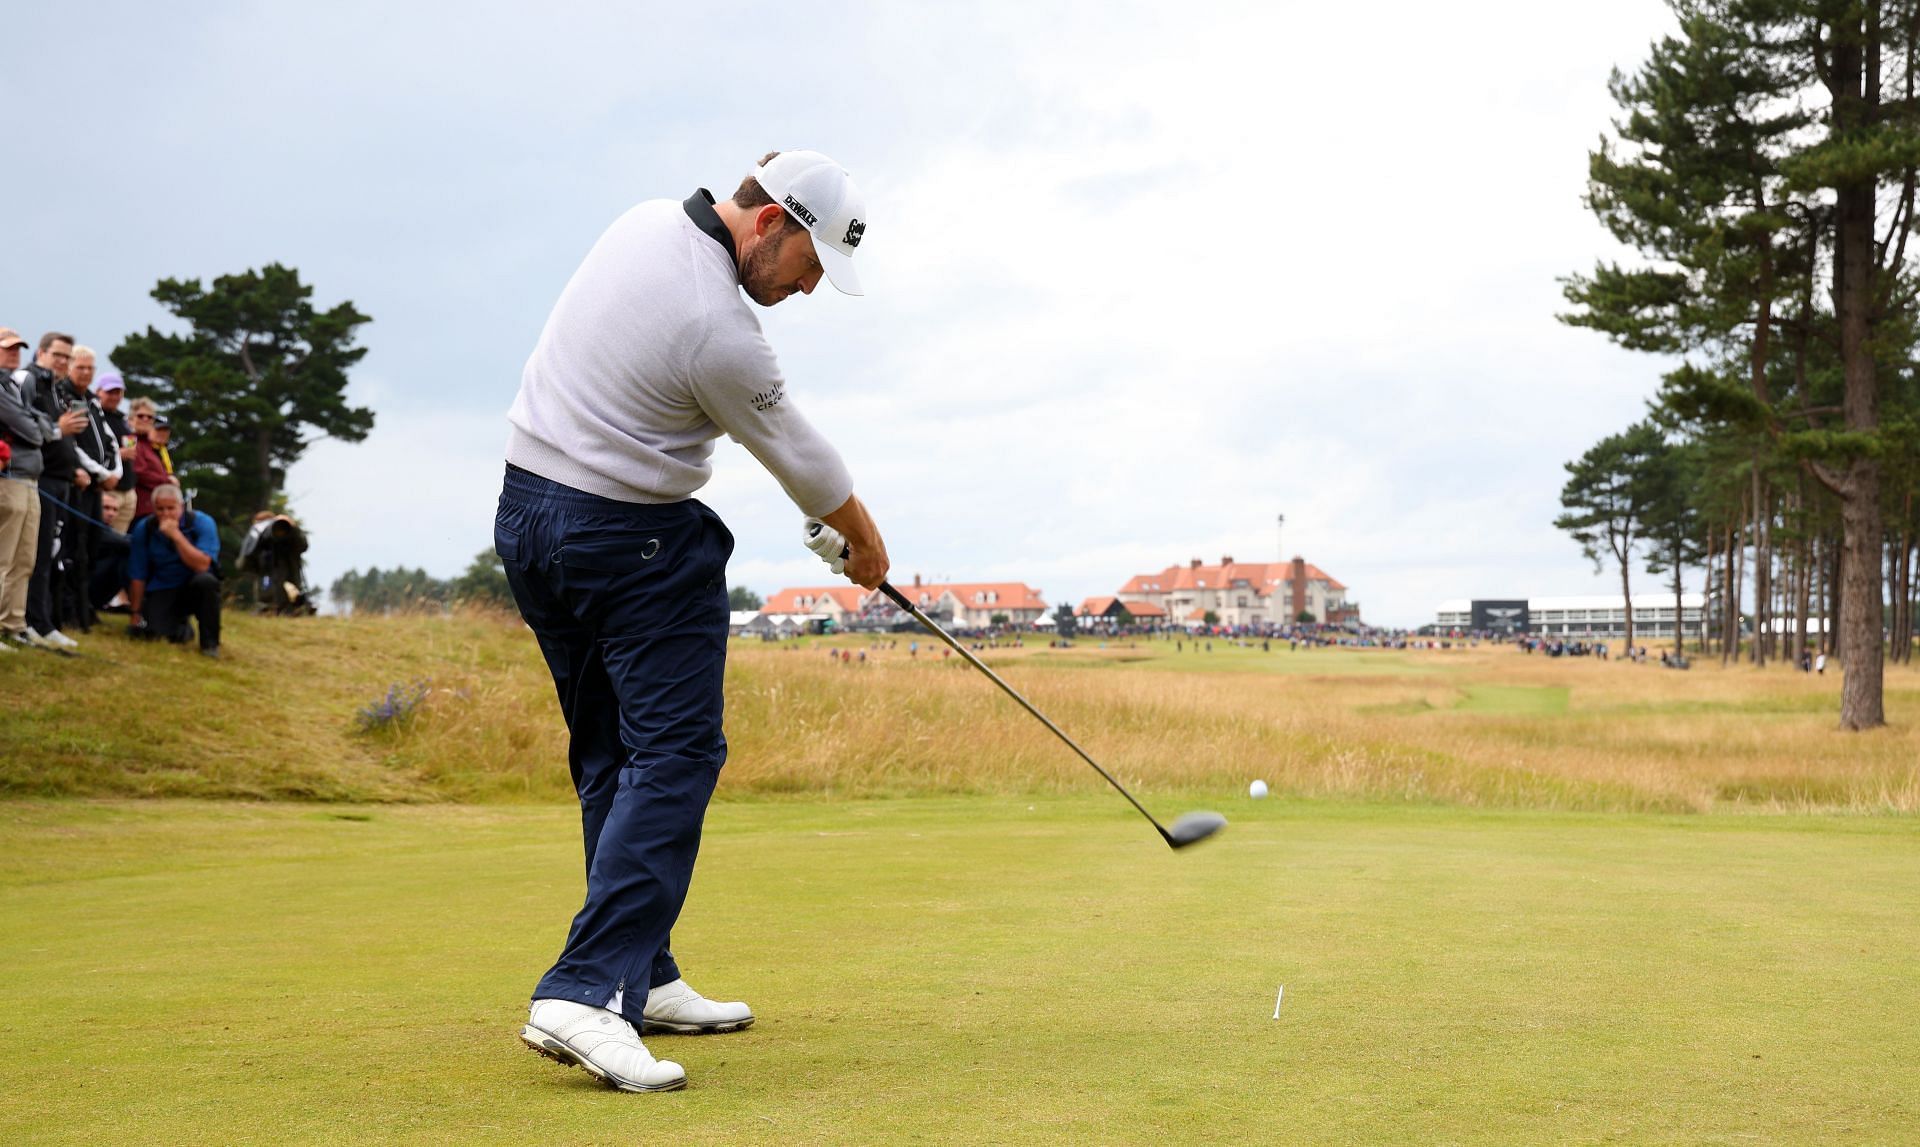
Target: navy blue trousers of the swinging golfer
pixel 629 606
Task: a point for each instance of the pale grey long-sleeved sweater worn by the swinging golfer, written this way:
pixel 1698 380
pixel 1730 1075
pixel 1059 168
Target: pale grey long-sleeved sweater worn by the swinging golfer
pixel 648 358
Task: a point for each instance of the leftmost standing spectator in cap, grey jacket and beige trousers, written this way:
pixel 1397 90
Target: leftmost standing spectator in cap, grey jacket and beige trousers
pixel 20 502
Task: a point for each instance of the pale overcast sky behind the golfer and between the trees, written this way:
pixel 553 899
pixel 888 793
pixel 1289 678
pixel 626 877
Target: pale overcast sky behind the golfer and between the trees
pixel 1140 276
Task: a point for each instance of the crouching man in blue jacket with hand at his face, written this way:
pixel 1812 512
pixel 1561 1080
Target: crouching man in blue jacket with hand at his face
pixel 170 575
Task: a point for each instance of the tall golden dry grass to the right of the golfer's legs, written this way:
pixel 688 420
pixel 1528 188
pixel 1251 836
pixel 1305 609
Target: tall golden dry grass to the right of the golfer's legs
pixel 1328 725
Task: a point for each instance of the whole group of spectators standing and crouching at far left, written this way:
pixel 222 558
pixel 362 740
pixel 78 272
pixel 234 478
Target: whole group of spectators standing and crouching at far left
pixel 91 516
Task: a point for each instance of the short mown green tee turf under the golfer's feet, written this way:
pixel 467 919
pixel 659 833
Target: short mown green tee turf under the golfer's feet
pixel 986 969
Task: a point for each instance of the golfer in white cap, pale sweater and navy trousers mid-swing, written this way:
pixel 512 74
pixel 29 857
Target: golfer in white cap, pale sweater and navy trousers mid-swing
pixel 648 358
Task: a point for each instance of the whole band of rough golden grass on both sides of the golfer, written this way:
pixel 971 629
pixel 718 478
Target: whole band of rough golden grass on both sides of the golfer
pixel 1468 727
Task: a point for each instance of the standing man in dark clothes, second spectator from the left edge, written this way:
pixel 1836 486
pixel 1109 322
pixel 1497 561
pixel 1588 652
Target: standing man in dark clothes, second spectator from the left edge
pixel 43 385
